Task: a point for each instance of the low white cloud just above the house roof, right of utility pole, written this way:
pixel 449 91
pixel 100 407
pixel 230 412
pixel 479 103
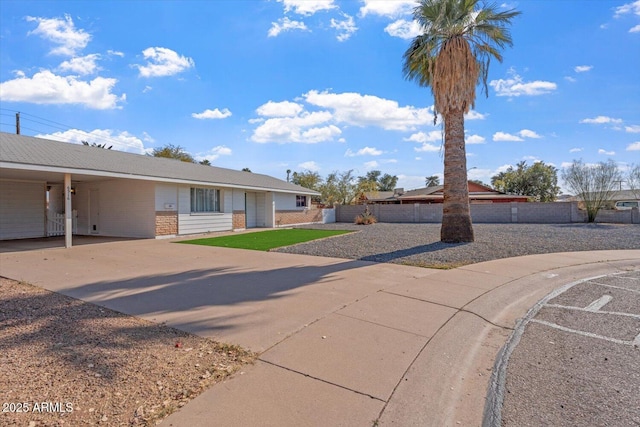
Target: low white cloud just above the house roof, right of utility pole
pixel 121 141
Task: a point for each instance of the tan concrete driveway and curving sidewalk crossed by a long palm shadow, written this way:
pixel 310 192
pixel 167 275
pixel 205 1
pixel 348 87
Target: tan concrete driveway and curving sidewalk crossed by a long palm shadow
pixel 341 342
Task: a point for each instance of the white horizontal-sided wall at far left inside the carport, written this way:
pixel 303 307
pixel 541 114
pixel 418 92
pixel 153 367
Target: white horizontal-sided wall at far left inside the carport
pixel 22 210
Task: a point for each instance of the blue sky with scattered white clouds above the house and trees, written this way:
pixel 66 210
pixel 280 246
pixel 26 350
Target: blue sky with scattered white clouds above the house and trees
pixel 316 85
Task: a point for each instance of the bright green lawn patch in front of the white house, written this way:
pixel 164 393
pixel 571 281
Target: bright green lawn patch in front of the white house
pixel 266 240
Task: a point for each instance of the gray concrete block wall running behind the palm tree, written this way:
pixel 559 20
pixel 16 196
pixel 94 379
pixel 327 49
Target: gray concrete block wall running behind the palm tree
pixel 541 213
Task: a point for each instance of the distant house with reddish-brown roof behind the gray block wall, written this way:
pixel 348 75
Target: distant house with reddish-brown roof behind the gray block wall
pixel 478 193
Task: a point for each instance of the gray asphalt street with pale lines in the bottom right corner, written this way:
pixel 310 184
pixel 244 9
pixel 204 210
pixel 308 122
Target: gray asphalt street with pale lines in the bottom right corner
pixel 574 360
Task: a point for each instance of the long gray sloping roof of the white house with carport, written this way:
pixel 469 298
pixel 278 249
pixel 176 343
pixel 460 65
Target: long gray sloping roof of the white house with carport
pixel 26 153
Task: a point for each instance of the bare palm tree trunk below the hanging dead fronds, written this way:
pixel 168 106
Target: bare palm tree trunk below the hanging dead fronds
pixel 456 216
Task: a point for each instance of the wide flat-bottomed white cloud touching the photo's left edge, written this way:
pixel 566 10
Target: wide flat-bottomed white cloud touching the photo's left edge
pixel 47 88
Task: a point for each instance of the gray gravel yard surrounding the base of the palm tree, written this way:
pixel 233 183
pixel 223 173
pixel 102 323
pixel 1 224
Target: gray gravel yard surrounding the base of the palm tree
pixel 419 244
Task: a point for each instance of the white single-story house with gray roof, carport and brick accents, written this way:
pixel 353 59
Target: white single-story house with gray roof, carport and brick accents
pixel 53 188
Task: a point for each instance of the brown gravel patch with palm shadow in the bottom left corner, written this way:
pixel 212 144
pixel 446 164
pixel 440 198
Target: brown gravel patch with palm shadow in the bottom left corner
pixel 68 362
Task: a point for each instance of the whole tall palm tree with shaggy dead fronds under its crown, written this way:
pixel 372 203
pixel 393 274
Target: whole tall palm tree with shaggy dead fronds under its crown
pixel 452 56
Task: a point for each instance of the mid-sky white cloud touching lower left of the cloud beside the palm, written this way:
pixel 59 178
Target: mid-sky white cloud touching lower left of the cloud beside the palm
pixel 303 128
